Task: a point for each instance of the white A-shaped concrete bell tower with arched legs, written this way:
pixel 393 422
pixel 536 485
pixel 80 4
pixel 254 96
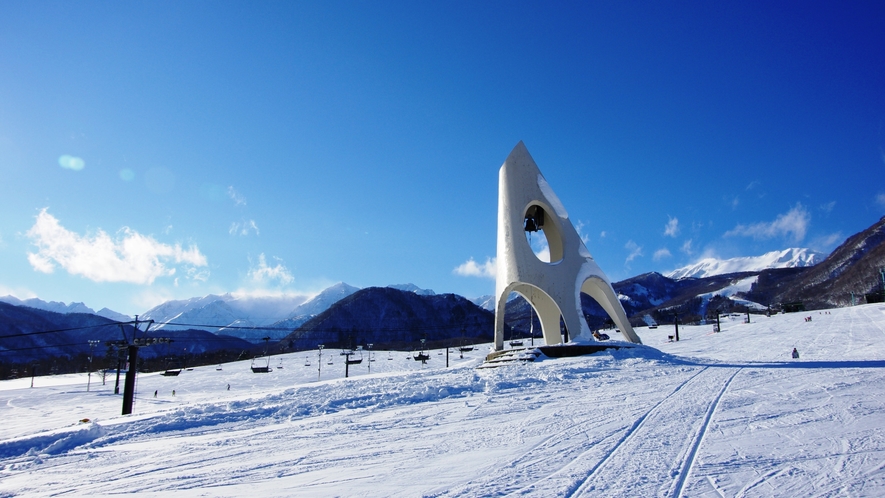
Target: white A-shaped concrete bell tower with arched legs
pixel 527 203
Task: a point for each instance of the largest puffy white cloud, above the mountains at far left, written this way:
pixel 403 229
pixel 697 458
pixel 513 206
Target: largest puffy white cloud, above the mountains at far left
pixel 130 257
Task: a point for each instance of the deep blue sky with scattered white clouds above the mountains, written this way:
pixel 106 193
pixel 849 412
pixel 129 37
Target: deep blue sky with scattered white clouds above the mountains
pixel 159 150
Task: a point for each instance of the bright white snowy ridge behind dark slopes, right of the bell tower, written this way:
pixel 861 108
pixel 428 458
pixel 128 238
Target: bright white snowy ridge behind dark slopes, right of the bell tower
pixel 787 258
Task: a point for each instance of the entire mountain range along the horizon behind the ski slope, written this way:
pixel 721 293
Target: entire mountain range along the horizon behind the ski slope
pixel 402 314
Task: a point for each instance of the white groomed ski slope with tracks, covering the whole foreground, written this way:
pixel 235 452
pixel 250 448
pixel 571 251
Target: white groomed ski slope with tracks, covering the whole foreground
pixel 716 414
